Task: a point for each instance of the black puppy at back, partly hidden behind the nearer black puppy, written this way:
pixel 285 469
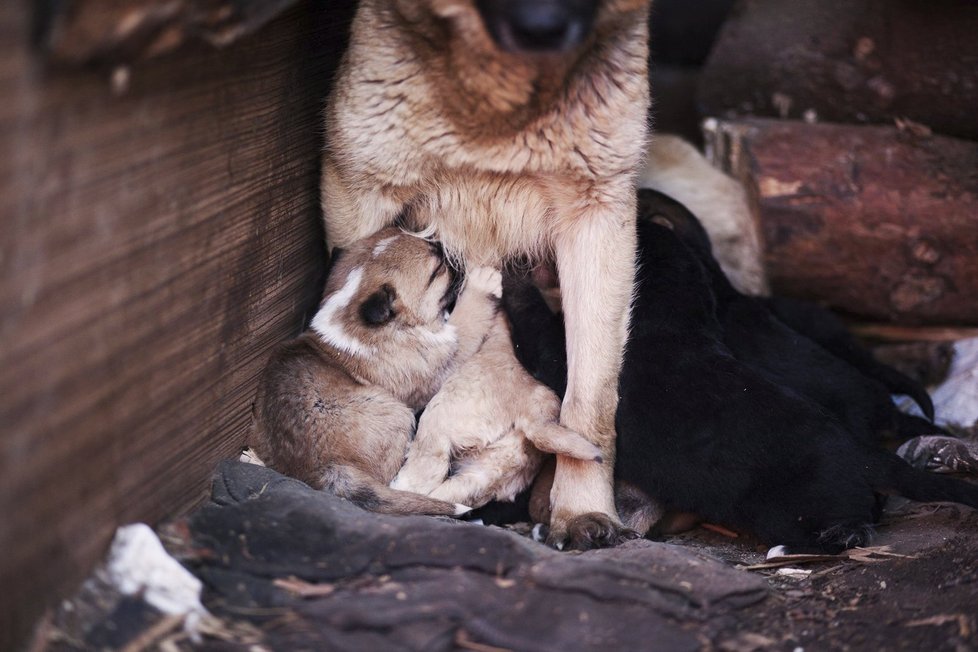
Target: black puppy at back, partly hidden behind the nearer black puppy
pixel 830 368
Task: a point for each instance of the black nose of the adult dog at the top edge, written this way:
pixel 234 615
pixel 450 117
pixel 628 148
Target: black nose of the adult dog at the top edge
pixel 538 25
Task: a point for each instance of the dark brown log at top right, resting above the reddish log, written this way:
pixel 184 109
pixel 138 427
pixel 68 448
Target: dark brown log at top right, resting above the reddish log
pixel 850 61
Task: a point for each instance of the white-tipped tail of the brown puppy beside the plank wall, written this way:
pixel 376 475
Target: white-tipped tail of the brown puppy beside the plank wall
pixel 366 492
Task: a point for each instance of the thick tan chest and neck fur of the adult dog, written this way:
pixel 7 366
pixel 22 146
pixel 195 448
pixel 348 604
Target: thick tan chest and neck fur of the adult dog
pixel 495 186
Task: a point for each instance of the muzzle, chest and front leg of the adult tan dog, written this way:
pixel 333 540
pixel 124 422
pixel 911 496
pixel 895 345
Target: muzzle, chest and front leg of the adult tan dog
pixel 512 128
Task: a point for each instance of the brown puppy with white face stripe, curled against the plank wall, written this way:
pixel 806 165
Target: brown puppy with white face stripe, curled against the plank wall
pixel 335 407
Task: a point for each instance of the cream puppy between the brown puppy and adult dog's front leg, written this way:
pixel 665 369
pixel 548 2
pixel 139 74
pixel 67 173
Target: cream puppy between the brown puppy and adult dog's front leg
pixel 491 424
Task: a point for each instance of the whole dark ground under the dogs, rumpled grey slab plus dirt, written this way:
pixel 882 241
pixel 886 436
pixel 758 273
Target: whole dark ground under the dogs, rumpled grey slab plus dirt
pixel 288 568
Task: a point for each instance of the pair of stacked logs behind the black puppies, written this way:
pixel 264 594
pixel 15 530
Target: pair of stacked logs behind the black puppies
pixel 853 124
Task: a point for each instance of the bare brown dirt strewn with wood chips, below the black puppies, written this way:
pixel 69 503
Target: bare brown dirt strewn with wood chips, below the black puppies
pixel 915 589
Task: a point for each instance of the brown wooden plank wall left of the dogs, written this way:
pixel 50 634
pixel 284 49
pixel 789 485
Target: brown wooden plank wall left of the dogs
pixel 157 235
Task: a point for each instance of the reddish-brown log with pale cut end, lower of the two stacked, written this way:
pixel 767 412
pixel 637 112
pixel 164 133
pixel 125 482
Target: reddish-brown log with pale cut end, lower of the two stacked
pixel 874 221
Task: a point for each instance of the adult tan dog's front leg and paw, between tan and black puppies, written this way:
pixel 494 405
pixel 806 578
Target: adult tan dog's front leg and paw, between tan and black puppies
pixel 595 251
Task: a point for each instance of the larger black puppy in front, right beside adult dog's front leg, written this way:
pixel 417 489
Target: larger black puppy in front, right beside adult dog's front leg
pixel 702 432
